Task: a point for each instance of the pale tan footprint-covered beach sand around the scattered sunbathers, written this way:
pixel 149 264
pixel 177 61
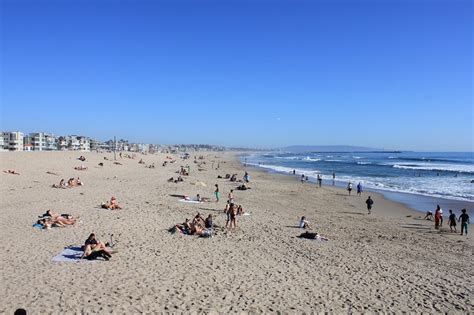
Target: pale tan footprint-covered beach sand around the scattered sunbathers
pixel 390 261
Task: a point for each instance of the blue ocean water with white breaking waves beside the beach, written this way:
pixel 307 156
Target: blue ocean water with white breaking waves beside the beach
pixel 414 178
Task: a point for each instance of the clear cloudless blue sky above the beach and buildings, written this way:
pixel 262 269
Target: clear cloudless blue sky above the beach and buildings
pixel 391 74
